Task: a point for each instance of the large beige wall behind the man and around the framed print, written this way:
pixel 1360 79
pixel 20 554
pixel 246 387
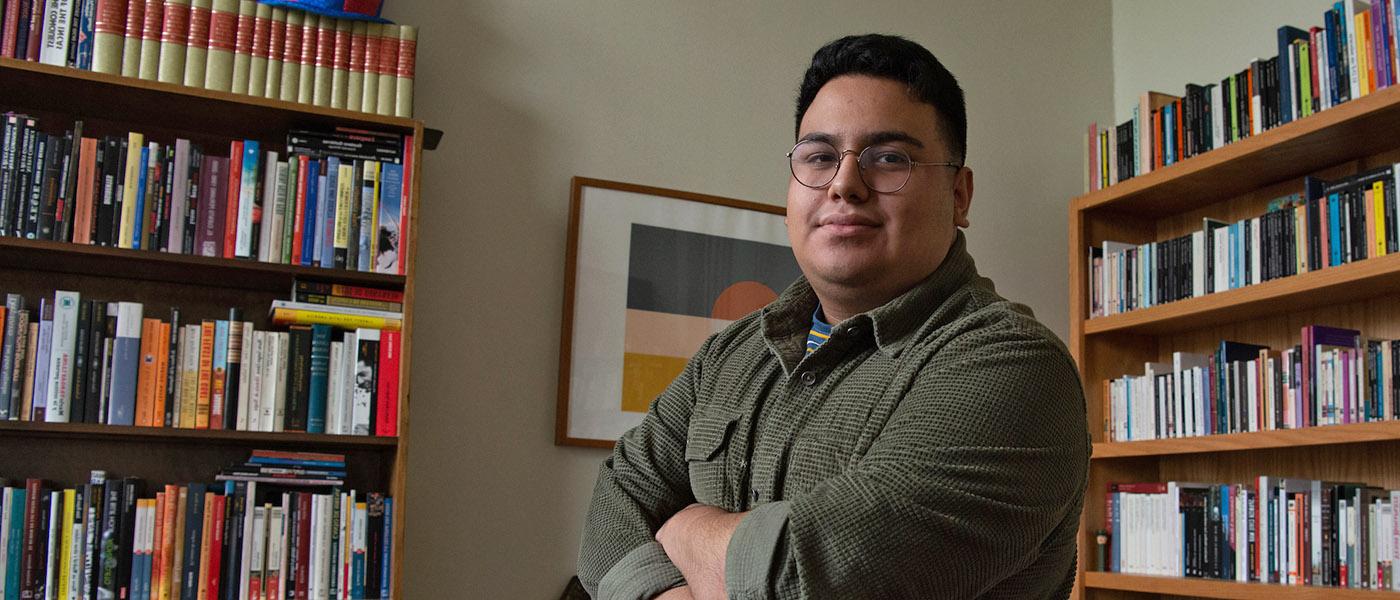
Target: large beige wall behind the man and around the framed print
pixel 692 96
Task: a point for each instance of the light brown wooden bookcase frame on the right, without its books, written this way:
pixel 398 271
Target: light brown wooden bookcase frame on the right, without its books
pixel 1231 184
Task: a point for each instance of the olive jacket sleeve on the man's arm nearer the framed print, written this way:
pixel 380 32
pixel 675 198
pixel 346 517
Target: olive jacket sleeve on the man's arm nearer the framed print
pixel 639 487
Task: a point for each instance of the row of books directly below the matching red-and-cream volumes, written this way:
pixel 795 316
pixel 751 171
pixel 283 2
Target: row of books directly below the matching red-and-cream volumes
pixel 338 199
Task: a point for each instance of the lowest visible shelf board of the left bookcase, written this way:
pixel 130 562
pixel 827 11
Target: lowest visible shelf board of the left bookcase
pixel 176 436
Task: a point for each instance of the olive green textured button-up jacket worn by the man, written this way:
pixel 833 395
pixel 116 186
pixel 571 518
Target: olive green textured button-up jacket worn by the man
pixel 934 448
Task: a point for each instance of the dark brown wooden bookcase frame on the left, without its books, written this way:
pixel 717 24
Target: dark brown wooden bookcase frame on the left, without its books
pixel 202 287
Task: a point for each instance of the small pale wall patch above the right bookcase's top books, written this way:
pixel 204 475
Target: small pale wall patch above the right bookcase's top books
pixel 1164 45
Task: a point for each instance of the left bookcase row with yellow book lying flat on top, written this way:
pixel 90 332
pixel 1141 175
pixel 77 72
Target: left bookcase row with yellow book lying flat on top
pixel 108 363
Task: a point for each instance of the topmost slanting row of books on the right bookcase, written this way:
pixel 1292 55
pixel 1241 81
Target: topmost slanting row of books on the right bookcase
pixel 1350 55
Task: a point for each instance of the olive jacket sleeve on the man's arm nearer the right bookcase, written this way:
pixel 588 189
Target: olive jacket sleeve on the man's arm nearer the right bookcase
pixel 981 464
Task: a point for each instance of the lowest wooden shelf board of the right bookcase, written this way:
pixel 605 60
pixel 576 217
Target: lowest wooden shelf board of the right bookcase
pixel 1216 590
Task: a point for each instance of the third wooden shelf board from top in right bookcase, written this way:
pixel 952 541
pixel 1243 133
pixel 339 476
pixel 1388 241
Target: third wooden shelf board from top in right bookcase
pixel 1360 433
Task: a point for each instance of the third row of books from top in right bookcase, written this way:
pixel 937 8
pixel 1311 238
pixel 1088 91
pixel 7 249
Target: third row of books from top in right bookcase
pixel 1335 377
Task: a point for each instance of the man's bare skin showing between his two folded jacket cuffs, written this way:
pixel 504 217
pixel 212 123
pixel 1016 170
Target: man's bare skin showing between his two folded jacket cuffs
pixel 696 541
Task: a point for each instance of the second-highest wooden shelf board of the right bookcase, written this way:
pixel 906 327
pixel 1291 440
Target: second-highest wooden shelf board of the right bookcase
pixel 1360 280
